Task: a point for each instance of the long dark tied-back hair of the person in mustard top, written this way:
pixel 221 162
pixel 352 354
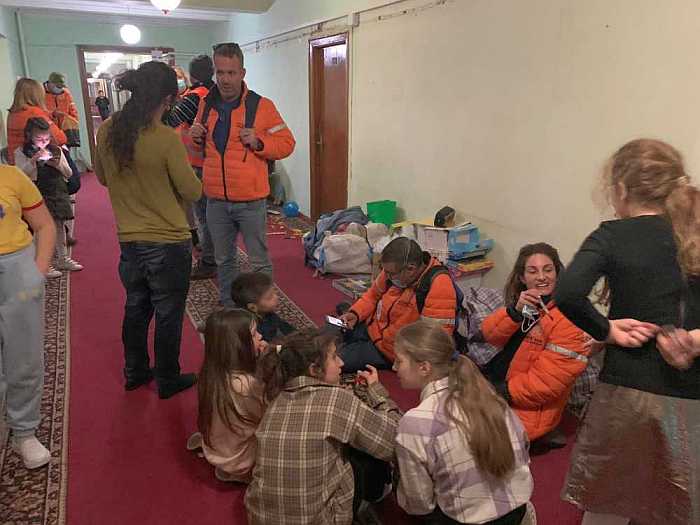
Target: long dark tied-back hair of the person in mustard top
pixel 150 86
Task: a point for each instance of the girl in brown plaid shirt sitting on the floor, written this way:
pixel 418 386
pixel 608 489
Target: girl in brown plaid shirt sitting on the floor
pixel 303 473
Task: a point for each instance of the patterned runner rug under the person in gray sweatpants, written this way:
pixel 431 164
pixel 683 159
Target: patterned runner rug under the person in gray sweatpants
pixel 38 497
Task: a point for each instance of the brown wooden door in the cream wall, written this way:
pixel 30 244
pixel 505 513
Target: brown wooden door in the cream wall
pixel 329 124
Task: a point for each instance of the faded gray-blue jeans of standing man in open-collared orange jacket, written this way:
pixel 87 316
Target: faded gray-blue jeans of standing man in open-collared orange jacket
pixel 225 220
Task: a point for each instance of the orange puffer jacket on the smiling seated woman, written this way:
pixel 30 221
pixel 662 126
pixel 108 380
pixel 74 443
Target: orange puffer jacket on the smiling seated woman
pixel 544 368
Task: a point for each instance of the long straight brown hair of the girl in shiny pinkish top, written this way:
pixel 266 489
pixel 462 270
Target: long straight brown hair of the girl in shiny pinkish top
pixel 228 348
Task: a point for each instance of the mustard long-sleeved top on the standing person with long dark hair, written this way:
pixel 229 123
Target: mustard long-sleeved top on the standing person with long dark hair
pixel 149 198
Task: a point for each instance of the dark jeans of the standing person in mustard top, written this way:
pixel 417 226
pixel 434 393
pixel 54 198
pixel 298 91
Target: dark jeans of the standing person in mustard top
pixel 156 277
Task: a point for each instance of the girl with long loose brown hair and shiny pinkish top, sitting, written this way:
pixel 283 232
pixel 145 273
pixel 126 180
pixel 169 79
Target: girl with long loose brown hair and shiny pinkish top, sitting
pixel 230 397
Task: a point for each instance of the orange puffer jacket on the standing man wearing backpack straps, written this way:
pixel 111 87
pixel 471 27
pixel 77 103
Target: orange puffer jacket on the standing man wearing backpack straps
pixel 241 174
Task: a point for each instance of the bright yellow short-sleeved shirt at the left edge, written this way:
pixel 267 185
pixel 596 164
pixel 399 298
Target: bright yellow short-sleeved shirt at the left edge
pixel 17 195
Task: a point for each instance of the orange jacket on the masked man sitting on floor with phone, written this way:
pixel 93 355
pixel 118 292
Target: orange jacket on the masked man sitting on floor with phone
pixel 387 311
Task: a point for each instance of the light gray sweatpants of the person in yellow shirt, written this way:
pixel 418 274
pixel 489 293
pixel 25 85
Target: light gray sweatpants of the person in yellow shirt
pixel 21 339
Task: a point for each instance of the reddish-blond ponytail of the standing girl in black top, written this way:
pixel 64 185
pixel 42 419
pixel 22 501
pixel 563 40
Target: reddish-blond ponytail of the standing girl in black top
pixel 683 210
